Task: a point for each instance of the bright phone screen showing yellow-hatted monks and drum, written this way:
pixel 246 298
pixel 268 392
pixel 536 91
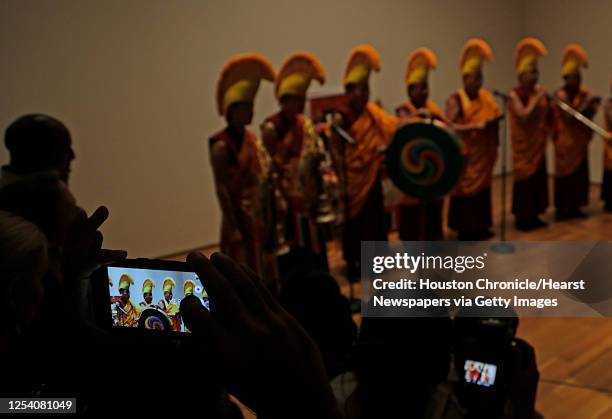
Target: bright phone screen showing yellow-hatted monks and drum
pixel 150 298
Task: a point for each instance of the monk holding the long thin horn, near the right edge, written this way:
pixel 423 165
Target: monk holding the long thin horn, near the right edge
pixel 572 138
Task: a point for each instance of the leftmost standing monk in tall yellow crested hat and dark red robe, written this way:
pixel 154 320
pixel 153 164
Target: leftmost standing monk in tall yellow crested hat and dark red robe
pixel 240 161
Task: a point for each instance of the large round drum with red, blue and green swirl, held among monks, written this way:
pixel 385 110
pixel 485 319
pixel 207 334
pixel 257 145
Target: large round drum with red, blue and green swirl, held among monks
pixel 424 160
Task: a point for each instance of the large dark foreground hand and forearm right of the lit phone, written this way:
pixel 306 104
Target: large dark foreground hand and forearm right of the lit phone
pixel 267 360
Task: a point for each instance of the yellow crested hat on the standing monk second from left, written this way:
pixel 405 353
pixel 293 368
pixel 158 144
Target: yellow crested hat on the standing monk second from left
pixel 296 73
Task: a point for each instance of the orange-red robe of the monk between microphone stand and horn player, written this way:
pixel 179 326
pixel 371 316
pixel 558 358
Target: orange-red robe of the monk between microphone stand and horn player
pixel 529 137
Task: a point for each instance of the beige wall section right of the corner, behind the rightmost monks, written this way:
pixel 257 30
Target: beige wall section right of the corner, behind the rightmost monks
pixel 588 22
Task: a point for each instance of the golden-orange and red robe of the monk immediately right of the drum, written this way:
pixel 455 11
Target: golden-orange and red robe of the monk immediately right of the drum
pixel 480 145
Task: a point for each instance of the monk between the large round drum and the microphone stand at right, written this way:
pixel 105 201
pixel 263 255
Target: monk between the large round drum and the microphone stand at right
pixel 474 116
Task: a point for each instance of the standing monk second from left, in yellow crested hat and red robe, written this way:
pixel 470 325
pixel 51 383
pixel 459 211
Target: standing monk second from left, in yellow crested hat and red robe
pixel 294 146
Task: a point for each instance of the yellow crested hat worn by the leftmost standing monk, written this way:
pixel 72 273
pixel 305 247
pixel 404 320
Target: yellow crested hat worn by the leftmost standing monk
pixel 240 78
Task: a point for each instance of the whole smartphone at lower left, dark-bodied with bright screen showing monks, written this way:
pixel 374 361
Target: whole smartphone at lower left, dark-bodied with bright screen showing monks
pixel 145 295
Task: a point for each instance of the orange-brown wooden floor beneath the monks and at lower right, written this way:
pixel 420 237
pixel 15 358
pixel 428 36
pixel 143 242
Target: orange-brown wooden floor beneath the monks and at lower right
pixel 574 355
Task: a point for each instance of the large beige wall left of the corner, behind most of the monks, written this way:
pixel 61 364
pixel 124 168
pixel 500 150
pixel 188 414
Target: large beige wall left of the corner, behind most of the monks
pixel 134 82
